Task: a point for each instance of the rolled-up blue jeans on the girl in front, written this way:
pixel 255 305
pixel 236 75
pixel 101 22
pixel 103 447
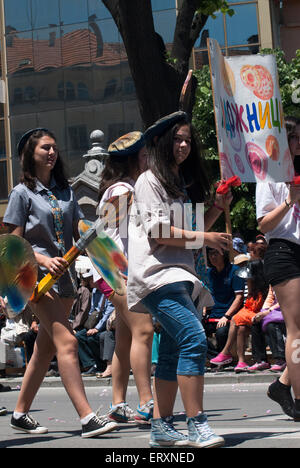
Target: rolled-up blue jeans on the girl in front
pixel 183 345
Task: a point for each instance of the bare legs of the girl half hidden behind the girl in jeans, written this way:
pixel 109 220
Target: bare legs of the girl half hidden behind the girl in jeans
pixel 134 334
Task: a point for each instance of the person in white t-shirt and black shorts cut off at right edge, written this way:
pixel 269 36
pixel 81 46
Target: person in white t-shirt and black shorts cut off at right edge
pixel 278 214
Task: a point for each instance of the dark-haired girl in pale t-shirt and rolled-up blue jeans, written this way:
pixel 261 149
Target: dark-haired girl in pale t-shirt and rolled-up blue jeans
pixel 162 279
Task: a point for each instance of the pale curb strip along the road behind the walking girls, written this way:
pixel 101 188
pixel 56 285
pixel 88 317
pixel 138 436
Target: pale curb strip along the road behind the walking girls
pixel 227 376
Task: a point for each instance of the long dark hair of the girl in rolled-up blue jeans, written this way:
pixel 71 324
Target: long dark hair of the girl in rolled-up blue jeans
pixel 193 177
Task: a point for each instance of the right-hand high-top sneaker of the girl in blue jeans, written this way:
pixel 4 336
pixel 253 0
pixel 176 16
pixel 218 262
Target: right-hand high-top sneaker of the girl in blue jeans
pixel 200 433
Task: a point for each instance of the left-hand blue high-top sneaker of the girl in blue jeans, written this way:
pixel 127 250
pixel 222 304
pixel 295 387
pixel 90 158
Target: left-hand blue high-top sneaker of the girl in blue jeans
pixel 163 434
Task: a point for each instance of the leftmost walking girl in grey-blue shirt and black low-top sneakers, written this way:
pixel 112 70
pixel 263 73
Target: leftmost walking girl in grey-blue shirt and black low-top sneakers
pixel 43 210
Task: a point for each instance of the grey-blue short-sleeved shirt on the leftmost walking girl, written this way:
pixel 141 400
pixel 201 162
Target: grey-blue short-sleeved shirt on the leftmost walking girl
pixel 32 211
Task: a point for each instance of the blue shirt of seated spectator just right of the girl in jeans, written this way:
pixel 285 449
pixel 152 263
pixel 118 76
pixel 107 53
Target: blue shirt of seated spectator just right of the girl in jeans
pixel 224 285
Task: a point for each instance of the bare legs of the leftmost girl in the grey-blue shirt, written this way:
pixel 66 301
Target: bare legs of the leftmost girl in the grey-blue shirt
pixel 55 336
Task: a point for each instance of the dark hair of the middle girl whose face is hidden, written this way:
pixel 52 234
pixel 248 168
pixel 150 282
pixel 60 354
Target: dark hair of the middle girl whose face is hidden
pixel 116 169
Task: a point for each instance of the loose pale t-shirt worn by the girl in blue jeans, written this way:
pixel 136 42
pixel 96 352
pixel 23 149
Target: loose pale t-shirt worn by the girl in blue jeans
pixel 152 265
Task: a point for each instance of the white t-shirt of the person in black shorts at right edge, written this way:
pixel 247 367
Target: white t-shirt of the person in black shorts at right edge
pixel 270 195
